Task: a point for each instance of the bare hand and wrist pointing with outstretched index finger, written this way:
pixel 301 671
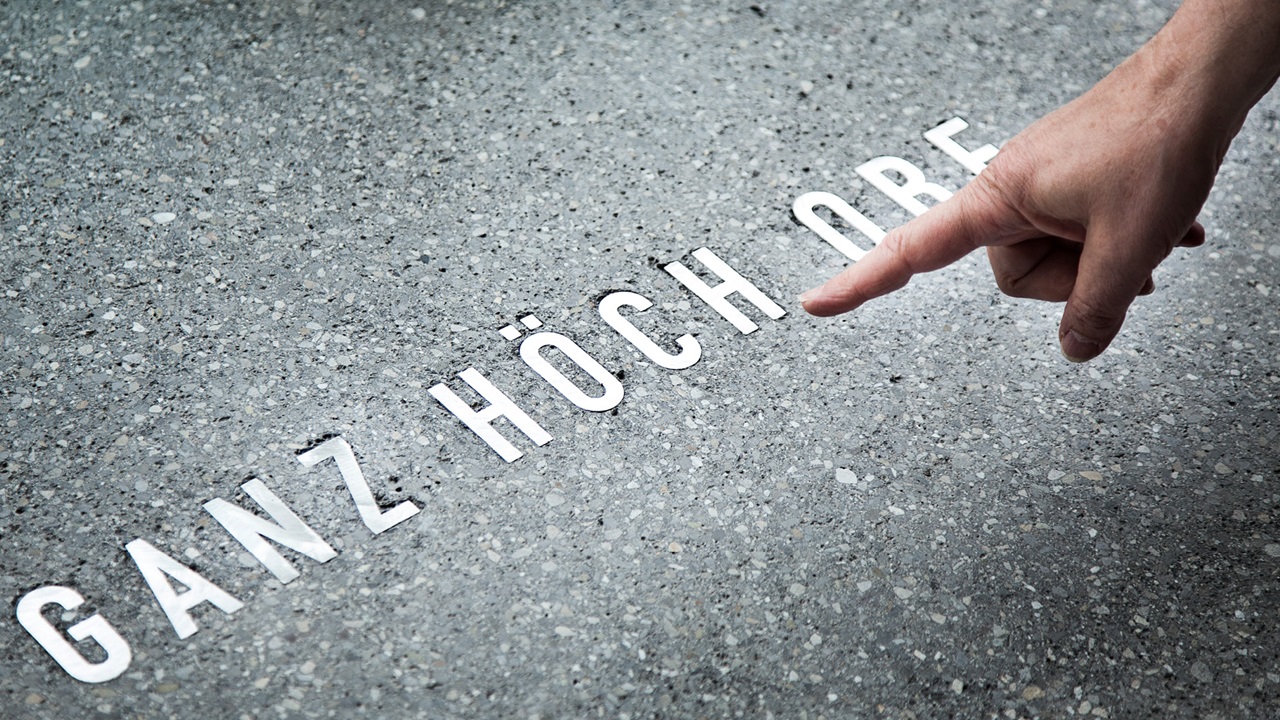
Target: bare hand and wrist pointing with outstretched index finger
pixel 1086 203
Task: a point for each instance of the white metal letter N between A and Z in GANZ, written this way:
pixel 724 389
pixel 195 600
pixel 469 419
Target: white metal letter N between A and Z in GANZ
pixel 287 530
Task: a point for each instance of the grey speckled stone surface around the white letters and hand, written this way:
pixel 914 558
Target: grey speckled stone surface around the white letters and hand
pixel 232 233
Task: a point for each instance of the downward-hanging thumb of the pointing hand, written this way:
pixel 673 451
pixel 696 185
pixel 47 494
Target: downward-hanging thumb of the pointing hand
pixel 1110 277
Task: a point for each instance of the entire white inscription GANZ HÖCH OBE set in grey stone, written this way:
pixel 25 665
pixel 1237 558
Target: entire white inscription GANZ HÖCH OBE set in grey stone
pixel 284 527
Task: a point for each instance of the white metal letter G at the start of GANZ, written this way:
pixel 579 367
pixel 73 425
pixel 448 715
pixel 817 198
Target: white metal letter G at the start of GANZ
pixel 118 654
